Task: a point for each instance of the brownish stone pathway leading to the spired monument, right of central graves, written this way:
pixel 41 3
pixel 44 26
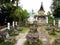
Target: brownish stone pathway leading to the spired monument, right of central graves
pixel 43 35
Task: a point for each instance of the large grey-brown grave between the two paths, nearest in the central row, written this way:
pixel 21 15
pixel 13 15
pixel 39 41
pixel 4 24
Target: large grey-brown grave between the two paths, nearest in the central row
pixel 32 37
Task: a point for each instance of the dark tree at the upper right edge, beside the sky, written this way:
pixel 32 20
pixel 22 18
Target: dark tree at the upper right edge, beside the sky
pixel 55 8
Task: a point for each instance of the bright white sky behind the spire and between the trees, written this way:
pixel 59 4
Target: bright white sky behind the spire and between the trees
pixel 35 4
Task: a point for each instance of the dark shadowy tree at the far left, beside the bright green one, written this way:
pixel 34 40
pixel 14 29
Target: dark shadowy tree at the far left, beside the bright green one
pixel 6 7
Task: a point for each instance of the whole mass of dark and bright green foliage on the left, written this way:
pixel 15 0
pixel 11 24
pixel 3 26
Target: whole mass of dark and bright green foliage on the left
pixel 11 12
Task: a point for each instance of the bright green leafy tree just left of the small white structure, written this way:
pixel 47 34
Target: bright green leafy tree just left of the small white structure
pixel 19 15
